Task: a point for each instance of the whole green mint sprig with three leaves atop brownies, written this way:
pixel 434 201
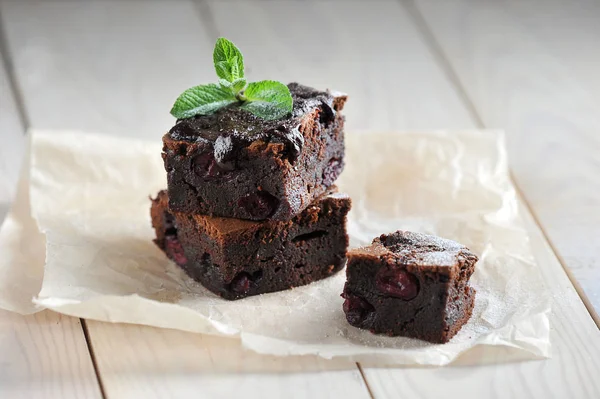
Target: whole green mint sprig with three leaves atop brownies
pixel 266 99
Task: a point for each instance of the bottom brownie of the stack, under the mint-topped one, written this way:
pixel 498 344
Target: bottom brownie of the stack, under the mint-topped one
pixel 237 258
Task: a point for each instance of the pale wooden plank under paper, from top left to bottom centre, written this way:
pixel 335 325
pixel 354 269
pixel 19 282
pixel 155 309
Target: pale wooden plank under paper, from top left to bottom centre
pixel 132 72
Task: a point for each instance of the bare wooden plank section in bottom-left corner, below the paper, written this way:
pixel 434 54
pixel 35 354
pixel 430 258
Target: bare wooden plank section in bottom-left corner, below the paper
pixel 45 356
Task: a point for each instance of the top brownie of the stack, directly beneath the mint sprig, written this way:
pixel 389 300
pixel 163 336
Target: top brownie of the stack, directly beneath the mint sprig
pixel 234 164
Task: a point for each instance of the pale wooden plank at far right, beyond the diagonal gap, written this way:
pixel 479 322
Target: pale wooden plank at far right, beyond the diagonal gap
pixel 531 67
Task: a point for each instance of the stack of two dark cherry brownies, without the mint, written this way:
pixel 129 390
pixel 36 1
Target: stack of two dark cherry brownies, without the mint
pixel 251 206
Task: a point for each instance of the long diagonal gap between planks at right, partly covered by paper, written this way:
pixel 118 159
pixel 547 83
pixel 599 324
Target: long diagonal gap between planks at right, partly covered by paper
pixel 438 53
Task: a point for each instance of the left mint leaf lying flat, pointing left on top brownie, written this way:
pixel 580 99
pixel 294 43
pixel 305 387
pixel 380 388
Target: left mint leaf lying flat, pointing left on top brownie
pixel 202 100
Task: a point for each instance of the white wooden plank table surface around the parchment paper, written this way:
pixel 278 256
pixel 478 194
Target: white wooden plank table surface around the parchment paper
pixel 530 67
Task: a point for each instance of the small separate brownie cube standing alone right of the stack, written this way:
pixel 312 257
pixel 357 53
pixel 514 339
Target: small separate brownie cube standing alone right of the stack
pixel 410 284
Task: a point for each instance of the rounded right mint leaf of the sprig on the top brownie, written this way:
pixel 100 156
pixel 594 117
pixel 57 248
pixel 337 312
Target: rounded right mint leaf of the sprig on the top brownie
pixel 268 99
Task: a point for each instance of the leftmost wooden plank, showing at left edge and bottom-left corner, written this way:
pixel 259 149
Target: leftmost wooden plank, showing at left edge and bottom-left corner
pixel 43 355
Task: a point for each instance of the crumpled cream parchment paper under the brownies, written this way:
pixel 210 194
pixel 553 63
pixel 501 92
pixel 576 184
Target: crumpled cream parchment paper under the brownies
pixel 89 195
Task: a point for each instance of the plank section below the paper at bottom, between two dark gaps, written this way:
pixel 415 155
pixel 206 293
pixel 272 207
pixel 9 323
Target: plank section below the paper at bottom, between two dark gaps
pixel 138 361
